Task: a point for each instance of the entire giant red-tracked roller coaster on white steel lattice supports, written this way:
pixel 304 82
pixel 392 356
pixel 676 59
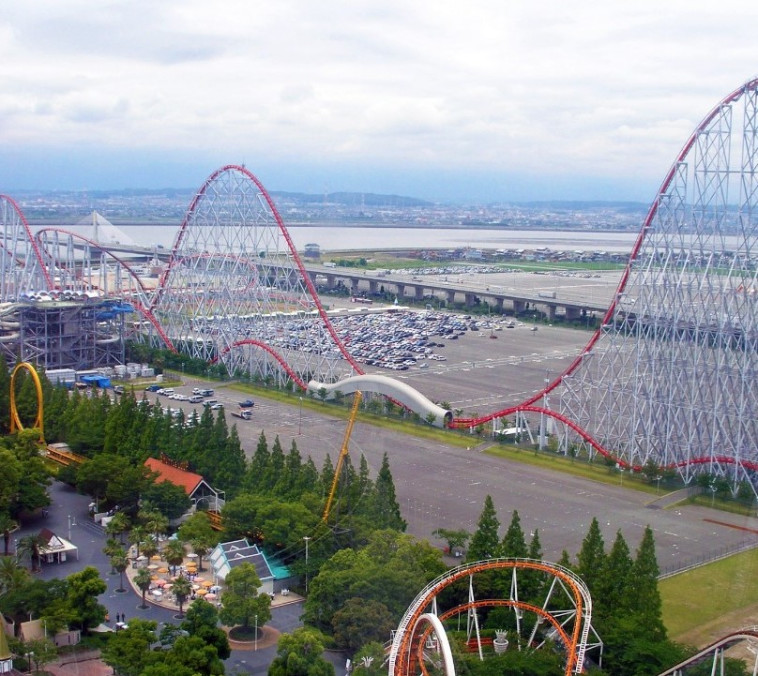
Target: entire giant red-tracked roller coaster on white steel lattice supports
pixel 667 381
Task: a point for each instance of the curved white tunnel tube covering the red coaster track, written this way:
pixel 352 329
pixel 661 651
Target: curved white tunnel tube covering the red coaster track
pixel 389 387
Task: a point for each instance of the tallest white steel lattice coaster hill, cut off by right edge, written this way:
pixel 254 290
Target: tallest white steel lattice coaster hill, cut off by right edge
pixel 670 378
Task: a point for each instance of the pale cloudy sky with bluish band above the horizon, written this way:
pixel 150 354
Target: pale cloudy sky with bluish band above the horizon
pixel 485 101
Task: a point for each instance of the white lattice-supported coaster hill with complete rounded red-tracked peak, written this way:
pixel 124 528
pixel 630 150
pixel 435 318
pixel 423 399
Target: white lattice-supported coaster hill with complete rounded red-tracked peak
pixel 236 290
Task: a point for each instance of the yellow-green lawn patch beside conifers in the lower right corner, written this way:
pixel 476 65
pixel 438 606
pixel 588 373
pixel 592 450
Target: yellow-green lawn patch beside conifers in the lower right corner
pixel 701 596
